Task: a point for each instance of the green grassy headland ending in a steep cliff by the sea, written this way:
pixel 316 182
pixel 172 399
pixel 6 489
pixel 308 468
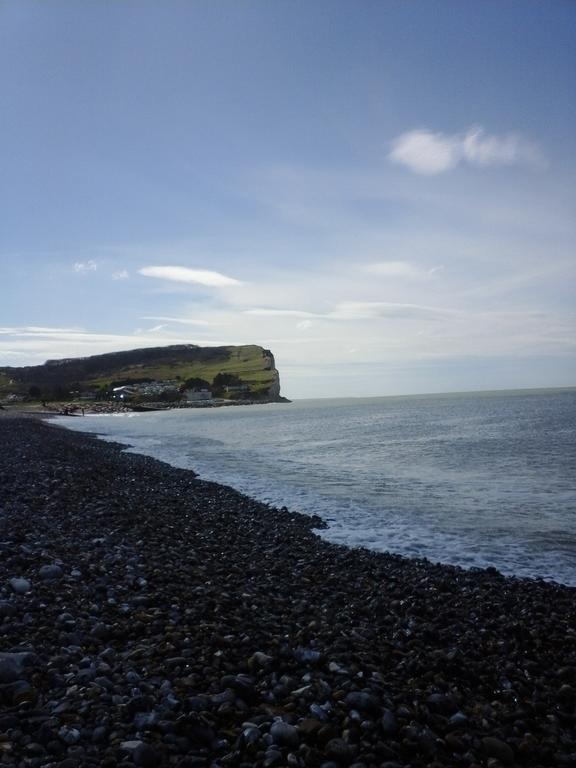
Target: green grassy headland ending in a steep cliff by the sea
pixel 249 365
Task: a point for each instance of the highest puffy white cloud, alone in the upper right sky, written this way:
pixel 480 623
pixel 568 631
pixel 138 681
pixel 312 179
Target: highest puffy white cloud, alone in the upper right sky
pixel 429 153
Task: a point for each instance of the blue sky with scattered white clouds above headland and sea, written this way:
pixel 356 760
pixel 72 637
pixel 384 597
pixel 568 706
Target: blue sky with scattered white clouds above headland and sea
pixel 380 192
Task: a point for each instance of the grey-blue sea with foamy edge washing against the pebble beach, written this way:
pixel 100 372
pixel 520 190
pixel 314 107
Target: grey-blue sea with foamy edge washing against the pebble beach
pixel 469 479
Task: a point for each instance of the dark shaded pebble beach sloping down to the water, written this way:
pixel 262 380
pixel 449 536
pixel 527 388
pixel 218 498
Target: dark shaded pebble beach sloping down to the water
pixel 167 621
